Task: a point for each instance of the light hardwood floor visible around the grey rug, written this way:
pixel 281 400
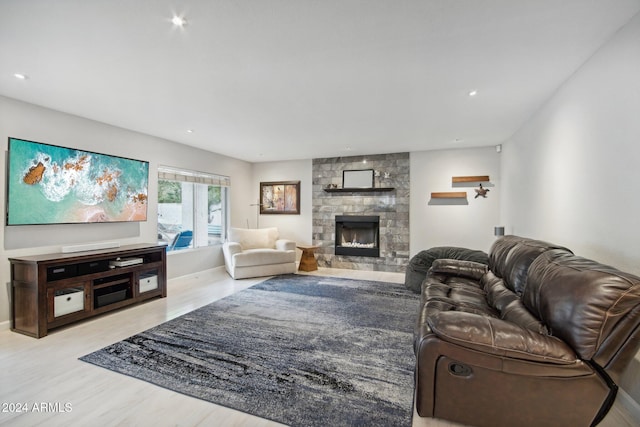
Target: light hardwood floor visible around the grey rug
pixel 47 371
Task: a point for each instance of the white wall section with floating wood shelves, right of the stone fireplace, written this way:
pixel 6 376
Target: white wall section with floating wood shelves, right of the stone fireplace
pixel 468 225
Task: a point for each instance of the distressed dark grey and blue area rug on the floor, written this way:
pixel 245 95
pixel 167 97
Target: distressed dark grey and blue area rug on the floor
pixel 299 350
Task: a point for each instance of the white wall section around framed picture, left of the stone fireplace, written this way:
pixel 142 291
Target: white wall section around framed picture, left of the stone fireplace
pixel 294 227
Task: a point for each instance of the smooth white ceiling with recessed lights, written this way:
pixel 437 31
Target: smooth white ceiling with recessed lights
pixel 265 80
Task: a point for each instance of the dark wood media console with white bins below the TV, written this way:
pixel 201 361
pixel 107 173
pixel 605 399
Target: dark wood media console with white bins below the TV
pixel 52 290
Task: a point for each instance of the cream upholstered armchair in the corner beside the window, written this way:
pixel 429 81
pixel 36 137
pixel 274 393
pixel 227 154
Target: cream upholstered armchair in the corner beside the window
pixel 258 252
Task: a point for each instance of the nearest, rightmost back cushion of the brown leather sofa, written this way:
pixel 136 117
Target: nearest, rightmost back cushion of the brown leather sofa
pixel 593 307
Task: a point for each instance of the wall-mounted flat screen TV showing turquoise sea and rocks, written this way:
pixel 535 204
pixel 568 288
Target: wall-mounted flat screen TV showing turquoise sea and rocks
pixel 48 184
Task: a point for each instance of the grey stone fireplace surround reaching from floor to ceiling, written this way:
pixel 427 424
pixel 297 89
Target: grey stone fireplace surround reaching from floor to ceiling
pixel 391 171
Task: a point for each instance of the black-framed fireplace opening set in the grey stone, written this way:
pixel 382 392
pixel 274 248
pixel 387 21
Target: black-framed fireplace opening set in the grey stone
pixel 357 235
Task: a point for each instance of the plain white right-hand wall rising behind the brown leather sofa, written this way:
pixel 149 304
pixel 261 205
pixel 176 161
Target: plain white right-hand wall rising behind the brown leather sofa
pixel 571 174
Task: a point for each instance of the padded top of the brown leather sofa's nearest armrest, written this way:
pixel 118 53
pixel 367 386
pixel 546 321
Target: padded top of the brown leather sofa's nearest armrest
pixel 498 337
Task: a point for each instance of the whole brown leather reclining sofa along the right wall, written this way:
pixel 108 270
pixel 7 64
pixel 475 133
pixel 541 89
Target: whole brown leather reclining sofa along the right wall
pixel 539 337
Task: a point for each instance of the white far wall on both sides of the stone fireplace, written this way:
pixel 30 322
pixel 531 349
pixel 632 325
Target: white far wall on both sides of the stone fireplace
pixel 468 225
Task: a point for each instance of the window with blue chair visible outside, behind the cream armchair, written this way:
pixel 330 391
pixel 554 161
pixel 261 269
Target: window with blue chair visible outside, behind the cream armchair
pixel 192 208
